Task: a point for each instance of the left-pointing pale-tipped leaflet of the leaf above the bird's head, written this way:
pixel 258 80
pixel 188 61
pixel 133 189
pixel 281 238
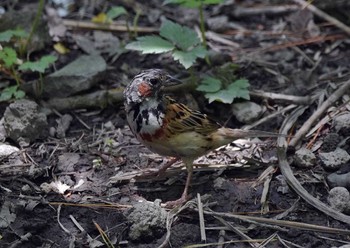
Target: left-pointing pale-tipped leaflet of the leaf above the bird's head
pixel 150 44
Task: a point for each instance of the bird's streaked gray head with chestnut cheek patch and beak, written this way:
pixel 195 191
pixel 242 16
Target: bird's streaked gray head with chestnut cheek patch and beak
pixel 148 84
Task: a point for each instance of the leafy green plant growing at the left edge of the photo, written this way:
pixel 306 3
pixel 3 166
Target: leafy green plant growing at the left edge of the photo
pixel 11 64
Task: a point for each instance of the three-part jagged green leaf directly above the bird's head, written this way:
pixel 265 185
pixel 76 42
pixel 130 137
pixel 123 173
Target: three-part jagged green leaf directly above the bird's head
pixel 182 42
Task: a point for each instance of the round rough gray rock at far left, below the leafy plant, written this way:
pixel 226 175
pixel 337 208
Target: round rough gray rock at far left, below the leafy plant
pixel 24 122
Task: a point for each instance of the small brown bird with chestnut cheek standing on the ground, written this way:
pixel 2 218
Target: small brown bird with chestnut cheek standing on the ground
pixel 172 129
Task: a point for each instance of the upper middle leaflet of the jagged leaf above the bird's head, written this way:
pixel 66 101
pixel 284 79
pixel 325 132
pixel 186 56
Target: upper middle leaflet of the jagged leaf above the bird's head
pixel 181 36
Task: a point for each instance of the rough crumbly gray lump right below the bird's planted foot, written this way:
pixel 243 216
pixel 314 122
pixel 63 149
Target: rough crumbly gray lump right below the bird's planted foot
pixel 148 221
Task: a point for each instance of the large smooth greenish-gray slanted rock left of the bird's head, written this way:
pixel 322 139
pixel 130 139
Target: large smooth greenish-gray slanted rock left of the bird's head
pixel 79 75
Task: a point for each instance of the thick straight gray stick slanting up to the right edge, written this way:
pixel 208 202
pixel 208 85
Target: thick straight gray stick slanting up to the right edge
pixel 316 115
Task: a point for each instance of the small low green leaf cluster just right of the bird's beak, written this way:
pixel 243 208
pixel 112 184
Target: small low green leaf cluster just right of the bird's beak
pixel 225 86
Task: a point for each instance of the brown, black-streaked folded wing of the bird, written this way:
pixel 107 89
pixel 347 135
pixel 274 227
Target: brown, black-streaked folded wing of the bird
pixel 180 118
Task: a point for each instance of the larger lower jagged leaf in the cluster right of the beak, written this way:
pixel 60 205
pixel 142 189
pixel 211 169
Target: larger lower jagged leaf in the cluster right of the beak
pixel 234 90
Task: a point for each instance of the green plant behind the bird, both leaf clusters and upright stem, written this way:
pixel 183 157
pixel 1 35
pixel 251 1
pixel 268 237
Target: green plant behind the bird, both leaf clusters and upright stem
pixel 186 47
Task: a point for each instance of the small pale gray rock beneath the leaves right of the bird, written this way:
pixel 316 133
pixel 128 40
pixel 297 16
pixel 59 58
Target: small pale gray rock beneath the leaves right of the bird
pixel 247 112
